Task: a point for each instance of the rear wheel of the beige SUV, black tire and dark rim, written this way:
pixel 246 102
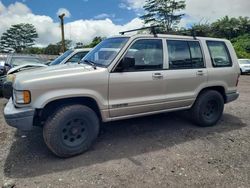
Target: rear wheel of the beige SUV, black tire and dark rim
pixel 208 108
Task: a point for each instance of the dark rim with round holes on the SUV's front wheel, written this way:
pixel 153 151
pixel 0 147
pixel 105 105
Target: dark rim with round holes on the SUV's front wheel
pixel 74 132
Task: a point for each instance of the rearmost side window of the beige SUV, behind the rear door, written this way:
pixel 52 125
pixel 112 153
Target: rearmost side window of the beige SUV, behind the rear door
pixel 219 54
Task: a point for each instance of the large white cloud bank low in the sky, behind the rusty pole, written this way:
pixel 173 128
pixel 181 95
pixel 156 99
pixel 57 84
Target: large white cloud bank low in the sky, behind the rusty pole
pixel 49 30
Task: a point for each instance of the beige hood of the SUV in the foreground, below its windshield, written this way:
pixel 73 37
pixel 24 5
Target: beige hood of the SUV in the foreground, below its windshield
pixel 52 75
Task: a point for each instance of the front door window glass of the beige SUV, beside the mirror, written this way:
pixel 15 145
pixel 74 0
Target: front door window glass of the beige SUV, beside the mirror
pixel 145 55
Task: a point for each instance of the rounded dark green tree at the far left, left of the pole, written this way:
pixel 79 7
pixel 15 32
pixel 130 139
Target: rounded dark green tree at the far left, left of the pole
pixel 19 37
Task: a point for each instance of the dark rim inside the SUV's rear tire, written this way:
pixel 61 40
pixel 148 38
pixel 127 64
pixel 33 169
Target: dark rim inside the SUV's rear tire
pixel 210 111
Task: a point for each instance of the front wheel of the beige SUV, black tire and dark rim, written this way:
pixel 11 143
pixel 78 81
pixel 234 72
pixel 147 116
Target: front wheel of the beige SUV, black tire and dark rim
pixel 71 130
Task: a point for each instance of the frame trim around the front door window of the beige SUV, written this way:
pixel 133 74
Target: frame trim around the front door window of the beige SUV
pixel 131 44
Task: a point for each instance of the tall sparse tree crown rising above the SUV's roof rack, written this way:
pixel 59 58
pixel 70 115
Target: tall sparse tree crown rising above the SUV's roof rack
pixel 165 13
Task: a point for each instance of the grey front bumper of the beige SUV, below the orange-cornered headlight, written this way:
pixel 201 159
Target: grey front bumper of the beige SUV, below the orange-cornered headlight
pixel 20 118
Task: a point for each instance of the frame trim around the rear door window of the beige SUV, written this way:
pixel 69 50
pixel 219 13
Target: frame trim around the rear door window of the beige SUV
pixel 187 41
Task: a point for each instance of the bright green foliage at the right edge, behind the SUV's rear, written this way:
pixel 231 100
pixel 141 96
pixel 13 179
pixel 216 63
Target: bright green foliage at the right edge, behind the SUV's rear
pixel 242 46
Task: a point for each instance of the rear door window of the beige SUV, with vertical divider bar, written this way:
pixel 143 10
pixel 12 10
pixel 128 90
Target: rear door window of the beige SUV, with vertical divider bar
pixel 184 54
